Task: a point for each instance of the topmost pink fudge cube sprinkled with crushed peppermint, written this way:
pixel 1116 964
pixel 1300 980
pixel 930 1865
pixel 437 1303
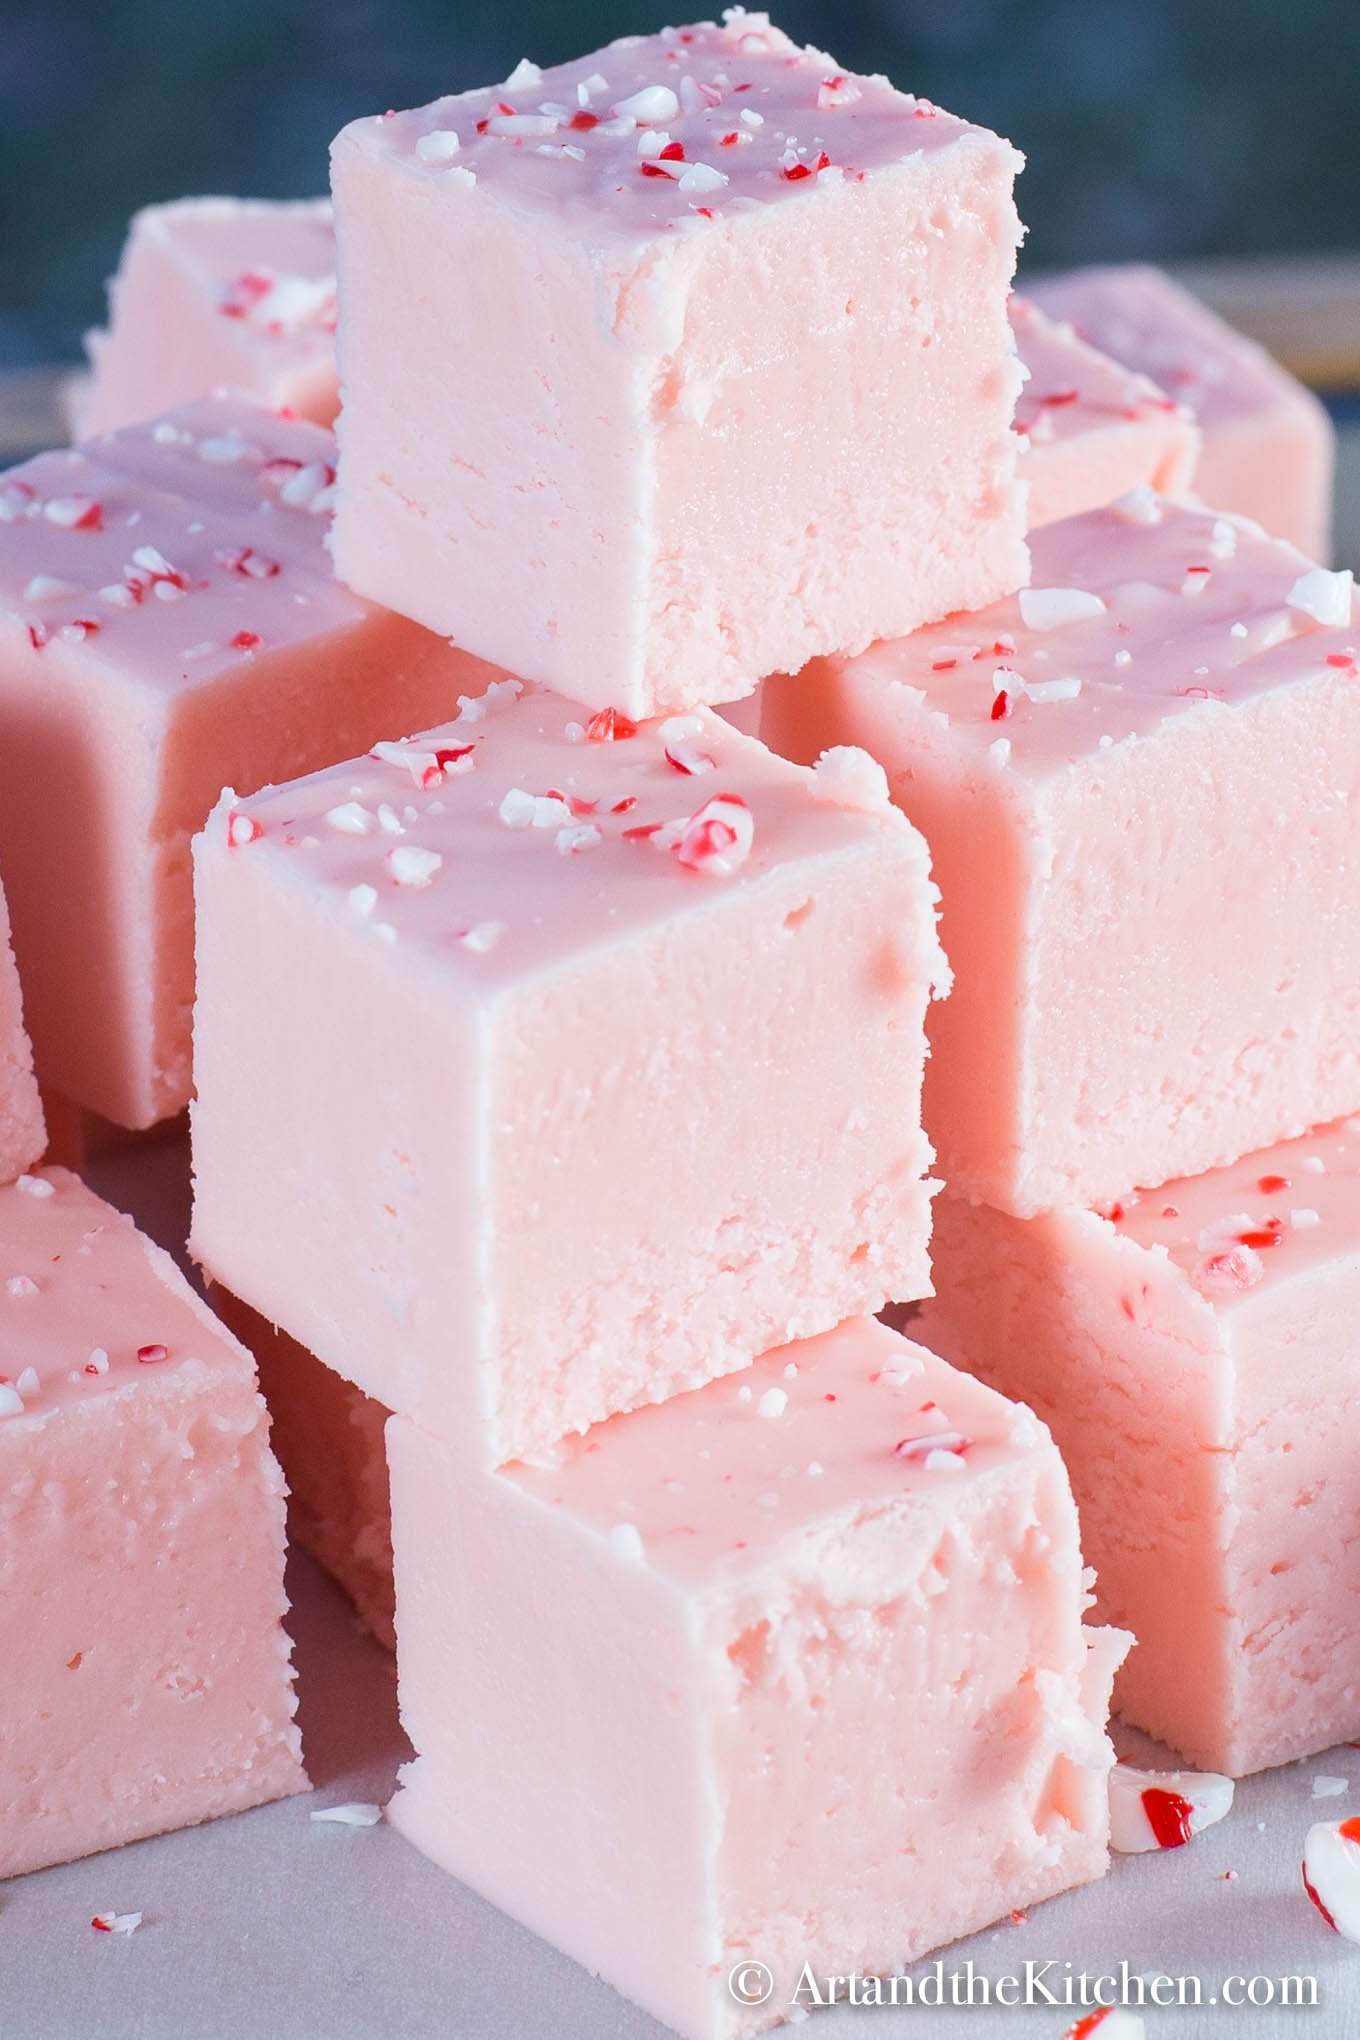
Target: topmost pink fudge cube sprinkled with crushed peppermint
pixel 676 366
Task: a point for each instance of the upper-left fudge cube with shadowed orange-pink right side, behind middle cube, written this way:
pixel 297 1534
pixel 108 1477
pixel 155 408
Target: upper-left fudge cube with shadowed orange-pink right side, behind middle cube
pixel 168 625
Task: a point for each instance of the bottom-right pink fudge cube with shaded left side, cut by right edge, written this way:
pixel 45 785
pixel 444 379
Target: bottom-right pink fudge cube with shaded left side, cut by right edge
pixel 1196 1345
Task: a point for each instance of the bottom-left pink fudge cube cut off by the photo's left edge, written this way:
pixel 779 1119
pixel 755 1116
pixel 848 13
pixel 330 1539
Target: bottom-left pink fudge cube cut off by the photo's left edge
pixel 148 1676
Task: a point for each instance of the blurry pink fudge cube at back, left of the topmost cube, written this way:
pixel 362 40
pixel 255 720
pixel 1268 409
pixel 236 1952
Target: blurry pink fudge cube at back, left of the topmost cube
pixel 217 293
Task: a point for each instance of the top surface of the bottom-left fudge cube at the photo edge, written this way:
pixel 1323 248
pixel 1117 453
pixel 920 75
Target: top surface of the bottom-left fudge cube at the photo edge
pixel 89 1307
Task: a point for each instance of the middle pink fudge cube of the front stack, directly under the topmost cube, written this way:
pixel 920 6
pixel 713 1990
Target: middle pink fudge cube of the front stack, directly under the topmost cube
pixel 582 1058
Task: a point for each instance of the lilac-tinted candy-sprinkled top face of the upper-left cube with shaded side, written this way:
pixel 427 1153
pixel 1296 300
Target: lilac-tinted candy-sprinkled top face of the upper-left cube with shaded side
pixel 176 546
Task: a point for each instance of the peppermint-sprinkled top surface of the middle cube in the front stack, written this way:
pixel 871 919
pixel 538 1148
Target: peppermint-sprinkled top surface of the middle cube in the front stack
pixel 531 829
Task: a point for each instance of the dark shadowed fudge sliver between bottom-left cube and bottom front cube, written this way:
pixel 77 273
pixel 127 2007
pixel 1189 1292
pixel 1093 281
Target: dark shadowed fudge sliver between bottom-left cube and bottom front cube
pixel 329 1439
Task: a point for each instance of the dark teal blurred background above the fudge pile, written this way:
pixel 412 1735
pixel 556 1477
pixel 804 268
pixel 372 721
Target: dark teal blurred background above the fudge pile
pixel 1153 127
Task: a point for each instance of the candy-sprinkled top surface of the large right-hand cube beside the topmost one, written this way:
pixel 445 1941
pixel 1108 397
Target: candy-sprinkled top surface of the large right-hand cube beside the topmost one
pixel 1137 615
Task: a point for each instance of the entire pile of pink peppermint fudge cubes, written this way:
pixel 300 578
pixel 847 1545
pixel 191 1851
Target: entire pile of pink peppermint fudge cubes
pixel 570 1058
